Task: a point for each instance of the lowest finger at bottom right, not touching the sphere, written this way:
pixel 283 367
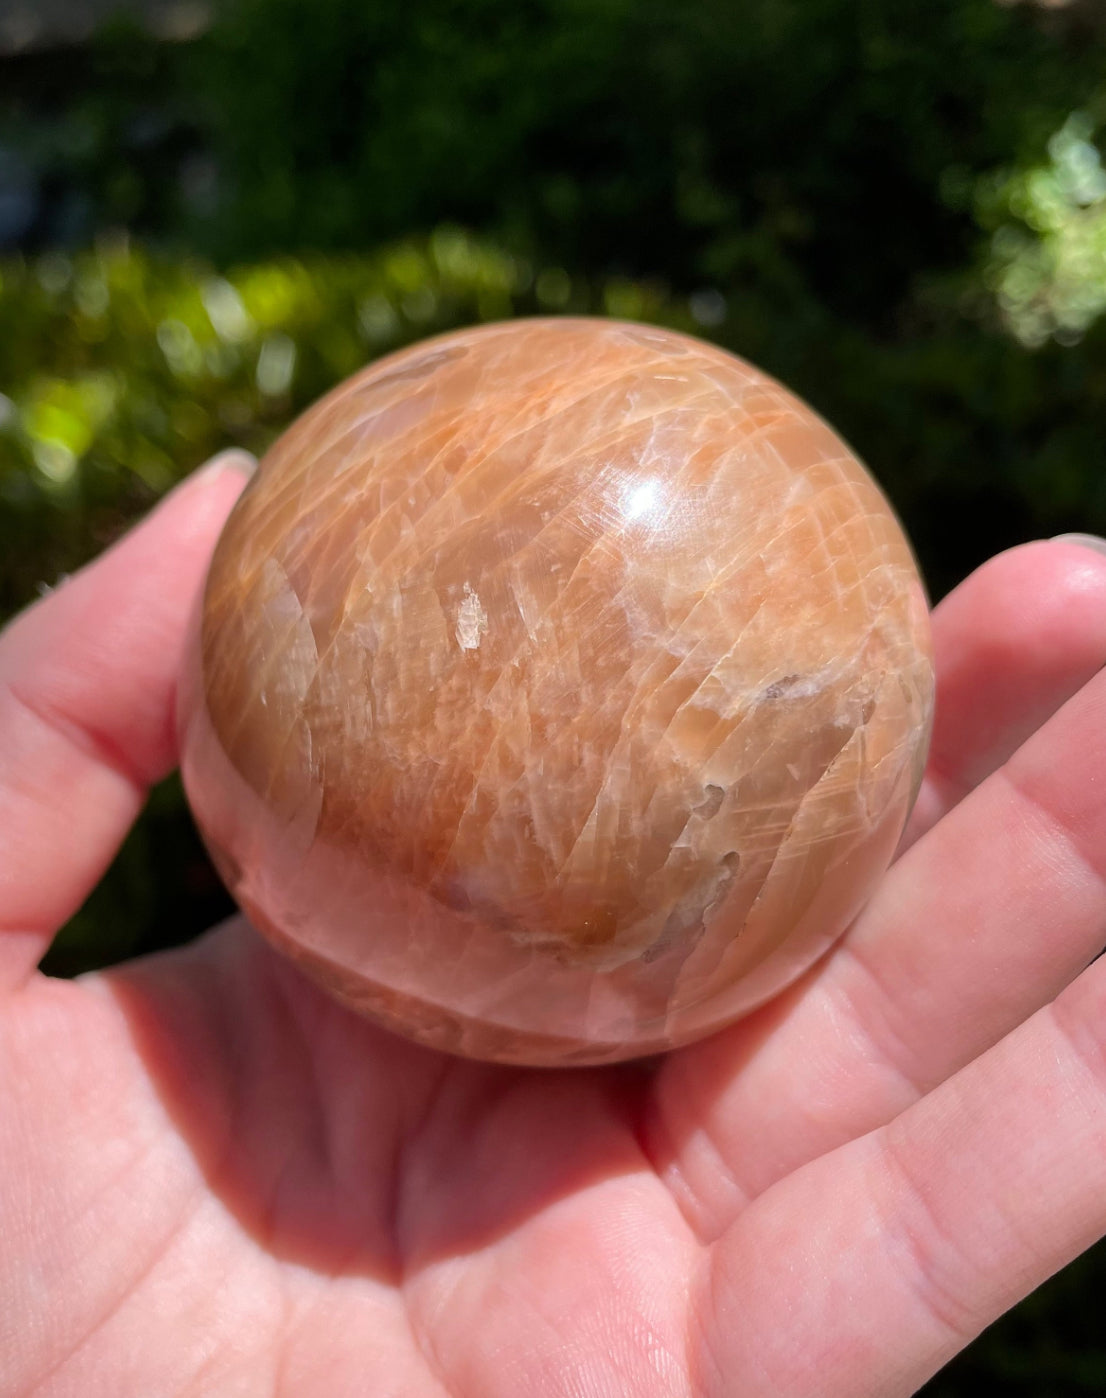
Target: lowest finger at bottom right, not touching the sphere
pixel 898 1249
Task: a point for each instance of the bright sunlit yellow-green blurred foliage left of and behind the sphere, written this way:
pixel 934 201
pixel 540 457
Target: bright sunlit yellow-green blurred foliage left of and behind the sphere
pixel 124 370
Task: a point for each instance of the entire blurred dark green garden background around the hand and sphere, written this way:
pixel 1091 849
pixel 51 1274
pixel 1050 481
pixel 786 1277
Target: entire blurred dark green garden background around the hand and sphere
pixel 213 212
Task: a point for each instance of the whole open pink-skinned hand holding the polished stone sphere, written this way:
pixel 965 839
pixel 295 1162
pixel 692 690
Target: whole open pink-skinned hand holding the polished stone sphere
pixel 216 1182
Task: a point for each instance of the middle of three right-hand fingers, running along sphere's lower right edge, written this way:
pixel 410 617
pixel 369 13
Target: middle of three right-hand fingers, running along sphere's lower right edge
pixel 986 919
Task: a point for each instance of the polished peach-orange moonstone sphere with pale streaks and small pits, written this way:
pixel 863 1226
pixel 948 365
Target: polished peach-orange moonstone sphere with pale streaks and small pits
pixel 560 691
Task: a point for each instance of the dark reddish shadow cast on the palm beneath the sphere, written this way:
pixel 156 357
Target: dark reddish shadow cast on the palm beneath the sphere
pixel 343 1148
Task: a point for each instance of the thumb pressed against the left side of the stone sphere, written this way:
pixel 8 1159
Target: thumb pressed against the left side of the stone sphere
pixel 87 683
